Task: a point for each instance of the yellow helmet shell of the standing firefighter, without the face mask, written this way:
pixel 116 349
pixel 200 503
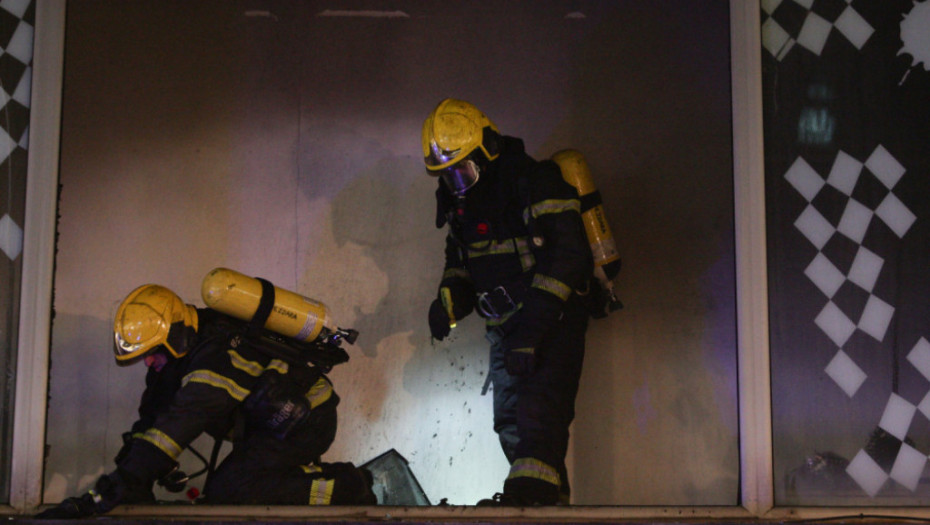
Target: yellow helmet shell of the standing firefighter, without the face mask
pixel 452 132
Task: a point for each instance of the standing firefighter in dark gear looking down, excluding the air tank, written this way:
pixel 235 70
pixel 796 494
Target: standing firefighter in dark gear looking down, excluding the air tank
pixel 517 252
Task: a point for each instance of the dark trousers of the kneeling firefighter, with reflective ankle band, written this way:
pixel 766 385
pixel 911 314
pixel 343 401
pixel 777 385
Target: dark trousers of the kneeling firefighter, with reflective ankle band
pixel 265 470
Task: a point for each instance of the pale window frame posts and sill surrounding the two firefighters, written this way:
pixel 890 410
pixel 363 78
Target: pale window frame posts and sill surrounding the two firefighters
pixel 756 458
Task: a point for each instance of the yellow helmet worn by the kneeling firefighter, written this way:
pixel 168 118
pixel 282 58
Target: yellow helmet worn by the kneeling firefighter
pixel 152 315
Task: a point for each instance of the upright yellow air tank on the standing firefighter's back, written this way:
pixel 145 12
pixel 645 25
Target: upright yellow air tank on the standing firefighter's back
pixel 575 171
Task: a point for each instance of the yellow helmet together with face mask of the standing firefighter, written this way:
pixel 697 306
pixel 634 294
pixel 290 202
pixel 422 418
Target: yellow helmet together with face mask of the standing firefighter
pixel 458 139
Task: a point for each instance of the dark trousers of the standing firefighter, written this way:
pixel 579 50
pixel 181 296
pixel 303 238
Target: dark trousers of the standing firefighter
pixel 532 413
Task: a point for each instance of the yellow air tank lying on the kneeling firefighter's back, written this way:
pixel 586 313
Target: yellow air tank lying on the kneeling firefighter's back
pixel 291 314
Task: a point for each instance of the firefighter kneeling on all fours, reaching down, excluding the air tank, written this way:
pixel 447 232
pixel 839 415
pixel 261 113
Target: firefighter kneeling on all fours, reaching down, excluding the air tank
pixel 204 377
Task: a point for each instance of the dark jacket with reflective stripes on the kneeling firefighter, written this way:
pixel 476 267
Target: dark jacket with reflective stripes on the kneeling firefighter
pixel 206 391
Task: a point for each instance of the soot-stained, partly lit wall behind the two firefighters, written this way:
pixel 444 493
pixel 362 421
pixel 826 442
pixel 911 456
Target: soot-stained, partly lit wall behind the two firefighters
pixel 281 139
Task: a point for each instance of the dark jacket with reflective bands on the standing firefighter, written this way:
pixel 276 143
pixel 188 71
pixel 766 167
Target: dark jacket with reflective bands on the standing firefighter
pixel 516 248
